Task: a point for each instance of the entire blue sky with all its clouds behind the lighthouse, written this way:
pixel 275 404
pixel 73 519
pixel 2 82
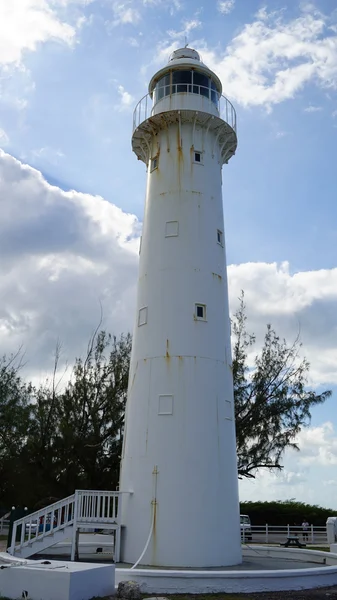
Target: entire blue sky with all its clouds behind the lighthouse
pixel 72 192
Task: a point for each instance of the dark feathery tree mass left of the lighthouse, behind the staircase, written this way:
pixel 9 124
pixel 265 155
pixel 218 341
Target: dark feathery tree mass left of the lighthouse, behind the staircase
pixel 73 438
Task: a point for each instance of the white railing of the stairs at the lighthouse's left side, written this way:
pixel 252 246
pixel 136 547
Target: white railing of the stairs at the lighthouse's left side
pixel 83 509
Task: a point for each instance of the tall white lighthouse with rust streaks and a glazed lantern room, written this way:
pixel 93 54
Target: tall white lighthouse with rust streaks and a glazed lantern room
pixel 178 477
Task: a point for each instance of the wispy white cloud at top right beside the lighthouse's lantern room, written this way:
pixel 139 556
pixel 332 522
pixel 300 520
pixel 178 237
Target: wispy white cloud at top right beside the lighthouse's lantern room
pixel 271 59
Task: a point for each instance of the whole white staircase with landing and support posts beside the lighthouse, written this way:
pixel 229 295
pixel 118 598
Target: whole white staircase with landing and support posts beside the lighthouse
pixel 86 509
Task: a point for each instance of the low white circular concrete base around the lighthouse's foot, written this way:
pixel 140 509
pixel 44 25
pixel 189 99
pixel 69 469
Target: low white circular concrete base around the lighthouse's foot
pixel 265 568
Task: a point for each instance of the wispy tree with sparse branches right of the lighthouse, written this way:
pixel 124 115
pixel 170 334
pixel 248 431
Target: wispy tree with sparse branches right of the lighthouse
pixel 272 400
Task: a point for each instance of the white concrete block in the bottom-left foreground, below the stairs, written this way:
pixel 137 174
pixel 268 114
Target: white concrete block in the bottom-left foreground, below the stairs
pixel 56 581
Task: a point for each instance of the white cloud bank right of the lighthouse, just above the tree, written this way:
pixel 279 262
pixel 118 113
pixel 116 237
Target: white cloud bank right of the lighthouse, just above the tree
pixel 301 302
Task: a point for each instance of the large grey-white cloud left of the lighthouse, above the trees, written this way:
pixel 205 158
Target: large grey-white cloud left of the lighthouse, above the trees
pixel 62 254
